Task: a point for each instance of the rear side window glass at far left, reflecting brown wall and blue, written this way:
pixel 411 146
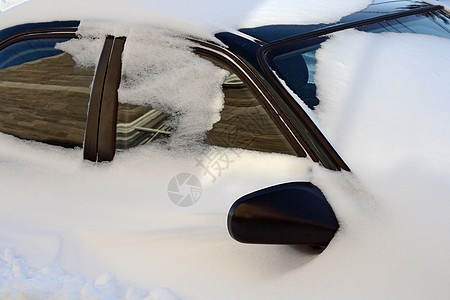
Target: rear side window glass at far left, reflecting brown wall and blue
pixel 43 95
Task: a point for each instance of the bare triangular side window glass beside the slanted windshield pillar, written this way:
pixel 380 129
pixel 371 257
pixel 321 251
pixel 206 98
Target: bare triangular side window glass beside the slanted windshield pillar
pixel 244 122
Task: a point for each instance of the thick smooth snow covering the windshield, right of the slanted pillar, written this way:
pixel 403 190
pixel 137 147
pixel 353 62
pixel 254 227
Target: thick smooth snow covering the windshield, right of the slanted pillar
pixel 397 112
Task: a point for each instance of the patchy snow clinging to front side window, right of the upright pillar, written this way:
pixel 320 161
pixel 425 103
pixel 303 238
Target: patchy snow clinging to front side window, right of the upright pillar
pixel 168 76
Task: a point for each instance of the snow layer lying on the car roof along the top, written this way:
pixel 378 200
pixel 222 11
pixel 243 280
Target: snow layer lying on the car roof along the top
pixel 201 17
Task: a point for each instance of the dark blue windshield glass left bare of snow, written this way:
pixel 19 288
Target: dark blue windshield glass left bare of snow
pixel 295 63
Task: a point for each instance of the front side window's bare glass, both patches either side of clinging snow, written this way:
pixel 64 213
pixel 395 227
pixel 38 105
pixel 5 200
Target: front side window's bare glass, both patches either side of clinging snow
pixel 244 123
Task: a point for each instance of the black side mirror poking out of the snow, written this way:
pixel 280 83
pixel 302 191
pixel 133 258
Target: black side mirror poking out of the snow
pixel 295 213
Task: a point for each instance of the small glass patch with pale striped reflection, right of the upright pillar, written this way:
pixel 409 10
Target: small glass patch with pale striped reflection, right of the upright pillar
pixel 139 125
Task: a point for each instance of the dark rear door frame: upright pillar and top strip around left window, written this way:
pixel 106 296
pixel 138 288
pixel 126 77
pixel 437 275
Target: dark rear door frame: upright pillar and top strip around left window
pixel 99 136
